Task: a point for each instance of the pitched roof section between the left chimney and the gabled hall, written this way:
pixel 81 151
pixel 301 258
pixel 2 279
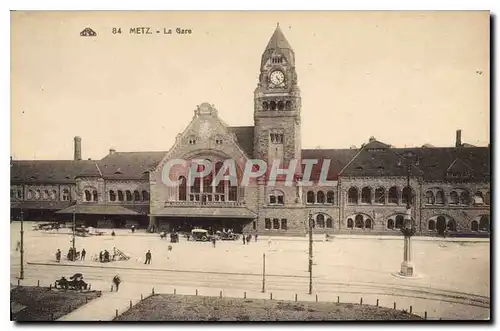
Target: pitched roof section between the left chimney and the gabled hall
pixel 125 165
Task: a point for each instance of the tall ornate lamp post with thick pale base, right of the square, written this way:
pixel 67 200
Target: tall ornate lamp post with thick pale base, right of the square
pixel 408 229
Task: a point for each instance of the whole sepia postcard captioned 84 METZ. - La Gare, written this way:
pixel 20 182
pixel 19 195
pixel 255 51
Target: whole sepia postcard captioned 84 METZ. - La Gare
pixel 250 166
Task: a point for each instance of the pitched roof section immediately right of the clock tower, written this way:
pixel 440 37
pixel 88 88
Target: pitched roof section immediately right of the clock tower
pixel 338 159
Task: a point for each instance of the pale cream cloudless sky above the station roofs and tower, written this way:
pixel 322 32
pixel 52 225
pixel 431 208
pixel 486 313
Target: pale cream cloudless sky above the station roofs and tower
pixel 405 78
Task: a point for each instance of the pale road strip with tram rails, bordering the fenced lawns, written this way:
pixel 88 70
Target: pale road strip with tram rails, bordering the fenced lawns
pixel 437 302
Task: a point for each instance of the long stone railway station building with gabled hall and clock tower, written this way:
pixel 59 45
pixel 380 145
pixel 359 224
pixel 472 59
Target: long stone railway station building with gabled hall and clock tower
pixel 366 192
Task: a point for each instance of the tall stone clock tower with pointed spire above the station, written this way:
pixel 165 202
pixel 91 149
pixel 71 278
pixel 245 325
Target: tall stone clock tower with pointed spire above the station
pixel 277 104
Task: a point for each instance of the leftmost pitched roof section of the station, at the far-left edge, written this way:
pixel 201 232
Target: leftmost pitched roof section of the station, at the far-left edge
pixel 47 171
